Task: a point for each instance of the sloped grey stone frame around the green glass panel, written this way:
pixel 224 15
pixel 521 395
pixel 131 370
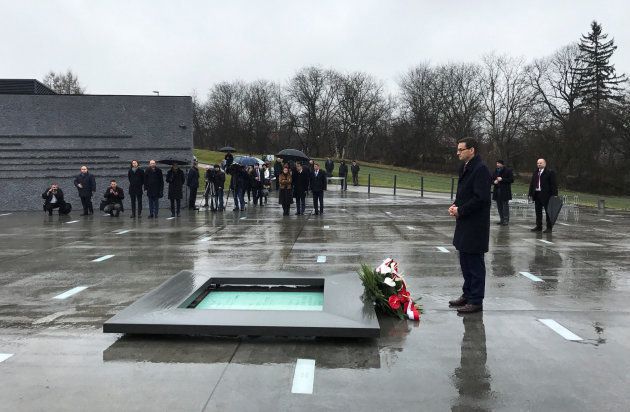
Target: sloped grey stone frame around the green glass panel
pixel 165 310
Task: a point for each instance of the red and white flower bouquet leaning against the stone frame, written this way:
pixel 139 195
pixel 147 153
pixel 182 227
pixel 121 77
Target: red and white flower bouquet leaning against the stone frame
pixel 386 287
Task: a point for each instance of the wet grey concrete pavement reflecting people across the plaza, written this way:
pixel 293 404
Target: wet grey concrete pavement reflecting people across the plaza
pixel 503 359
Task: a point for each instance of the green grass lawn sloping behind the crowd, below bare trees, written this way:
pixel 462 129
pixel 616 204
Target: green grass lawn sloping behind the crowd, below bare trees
pixel 383 176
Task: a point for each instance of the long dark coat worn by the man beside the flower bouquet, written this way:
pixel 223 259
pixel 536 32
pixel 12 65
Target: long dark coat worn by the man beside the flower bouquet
pixel 472 227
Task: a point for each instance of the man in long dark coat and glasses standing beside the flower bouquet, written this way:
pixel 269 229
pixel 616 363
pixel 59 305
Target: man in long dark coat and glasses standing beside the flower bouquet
pixel 471 210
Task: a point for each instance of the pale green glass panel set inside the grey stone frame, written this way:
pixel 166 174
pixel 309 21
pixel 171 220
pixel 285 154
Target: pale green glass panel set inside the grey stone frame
pixel 263 300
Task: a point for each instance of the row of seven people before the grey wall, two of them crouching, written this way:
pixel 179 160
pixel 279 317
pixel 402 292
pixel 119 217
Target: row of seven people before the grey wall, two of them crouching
pixel 149 182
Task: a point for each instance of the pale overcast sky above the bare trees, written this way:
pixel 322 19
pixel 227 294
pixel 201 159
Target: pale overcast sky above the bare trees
pixel 134 47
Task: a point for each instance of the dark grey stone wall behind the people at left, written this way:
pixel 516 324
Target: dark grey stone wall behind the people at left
pixel 46 138
